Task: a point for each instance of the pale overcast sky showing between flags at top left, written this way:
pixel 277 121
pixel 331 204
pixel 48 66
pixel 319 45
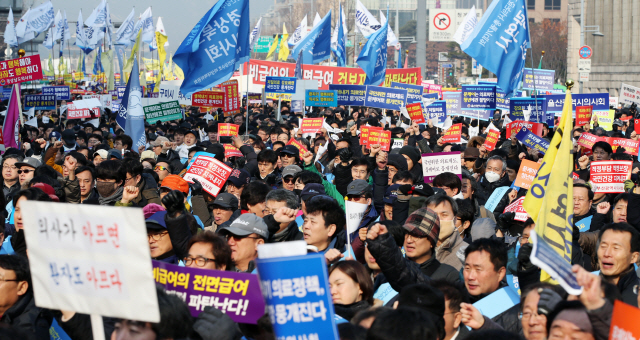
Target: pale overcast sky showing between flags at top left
pixel 178 16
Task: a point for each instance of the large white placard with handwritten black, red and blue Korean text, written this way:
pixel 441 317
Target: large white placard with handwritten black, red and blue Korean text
pixel 90 259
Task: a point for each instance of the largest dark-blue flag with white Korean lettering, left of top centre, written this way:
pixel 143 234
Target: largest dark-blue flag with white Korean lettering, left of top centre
pixel 215 47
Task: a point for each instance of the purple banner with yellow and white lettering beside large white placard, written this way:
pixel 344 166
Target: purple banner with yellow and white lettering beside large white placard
pixel 235 294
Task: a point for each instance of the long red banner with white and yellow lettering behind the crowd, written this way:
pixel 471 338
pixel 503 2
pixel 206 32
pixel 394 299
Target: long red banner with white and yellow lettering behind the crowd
pixel 325 75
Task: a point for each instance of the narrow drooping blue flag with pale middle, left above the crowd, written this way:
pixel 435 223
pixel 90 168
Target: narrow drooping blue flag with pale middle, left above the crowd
pixel 134 113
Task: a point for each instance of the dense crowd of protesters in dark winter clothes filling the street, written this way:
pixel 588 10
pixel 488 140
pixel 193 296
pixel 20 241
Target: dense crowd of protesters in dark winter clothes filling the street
pixel 422 255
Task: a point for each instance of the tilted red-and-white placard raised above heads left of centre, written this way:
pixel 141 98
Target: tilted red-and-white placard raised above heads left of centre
pixel 210 172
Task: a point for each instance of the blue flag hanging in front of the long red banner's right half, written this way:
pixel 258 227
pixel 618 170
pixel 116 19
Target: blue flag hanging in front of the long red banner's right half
pixel 373 57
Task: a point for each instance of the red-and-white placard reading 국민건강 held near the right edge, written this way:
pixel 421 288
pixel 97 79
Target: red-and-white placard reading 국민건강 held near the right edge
pixel 609 176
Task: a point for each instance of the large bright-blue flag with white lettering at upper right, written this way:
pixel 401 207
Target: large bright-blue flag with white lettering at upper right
pixel 500 41
